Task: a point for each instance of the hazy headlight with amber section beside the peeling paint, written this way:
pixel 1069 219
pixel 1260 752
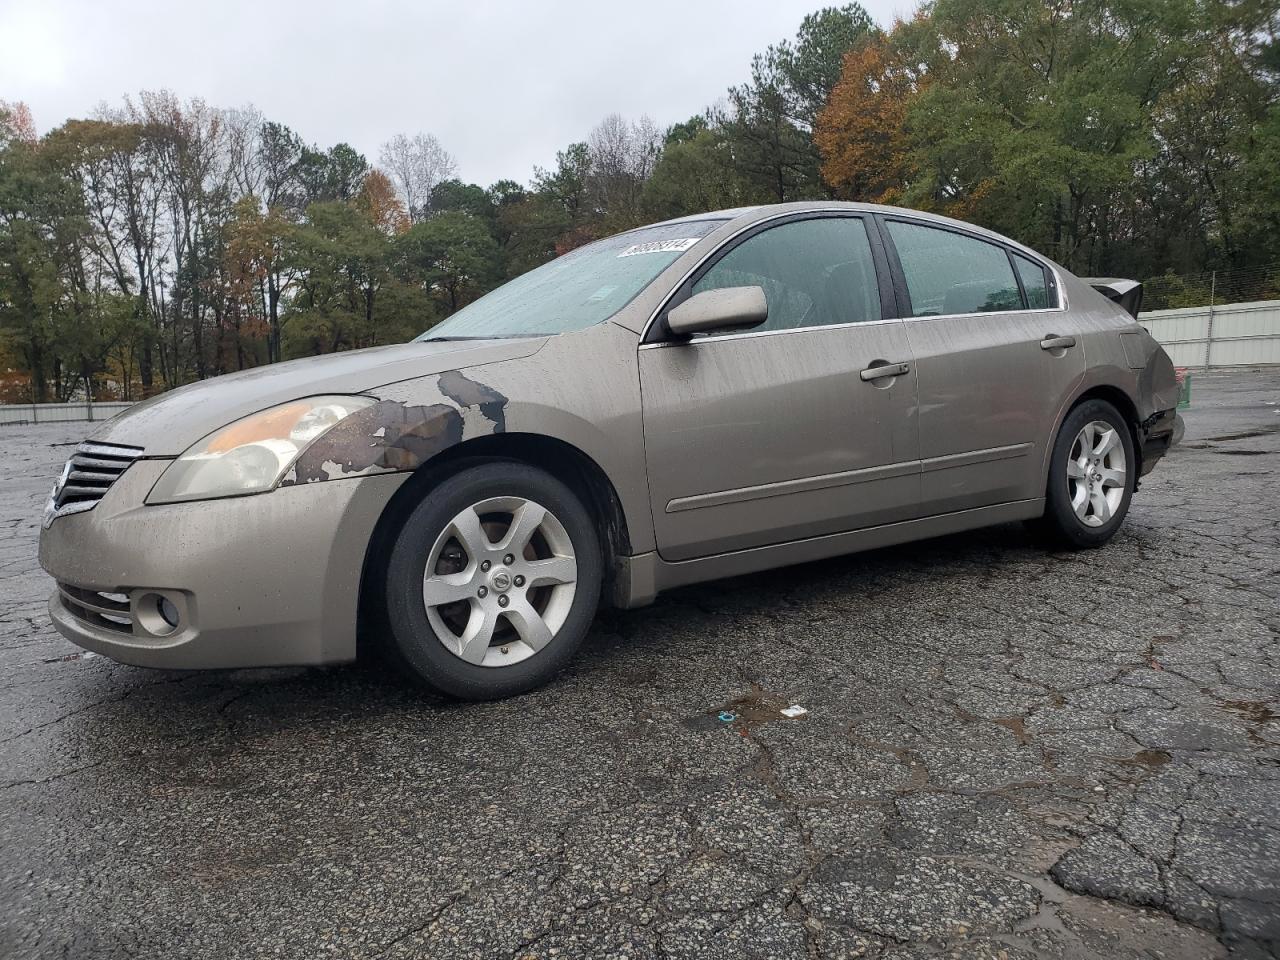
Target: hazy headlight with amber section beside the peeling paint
pixel 252 455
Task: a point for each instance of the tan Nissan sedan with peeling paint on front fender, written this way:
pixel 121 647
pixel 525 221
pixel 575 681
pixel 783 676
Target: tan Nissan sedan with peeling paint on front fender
pixel 701 399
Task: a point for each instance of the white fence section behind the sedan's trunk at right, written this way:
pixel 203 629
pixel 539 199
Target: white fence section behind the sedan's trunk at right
pixel 1233 335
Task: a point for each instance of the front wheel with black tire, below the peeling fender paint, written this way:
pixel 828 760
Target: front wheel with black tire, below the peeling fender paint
pixel 481 583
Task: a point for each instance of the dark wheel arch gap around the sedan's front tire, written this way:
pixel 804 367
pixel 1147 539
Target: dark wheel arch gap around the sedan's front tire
pixel 560 459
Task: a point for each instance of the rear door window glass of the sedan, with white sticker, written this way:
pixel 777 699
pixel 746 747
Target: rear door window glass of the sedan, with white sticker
pixel 950 273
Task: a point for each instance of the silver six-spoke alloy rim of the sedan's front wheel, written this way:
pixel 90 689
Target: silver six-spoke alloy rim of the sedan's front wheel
pixel 500 582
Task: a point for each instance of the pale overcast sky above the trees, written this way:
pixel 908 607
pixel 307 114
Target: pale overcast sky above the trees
pixel 504 86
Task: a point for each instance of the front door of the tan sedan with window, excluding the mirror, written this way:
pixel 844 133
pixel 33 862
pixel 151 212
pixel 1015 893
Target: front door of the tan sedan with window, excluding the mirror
pixel 776 435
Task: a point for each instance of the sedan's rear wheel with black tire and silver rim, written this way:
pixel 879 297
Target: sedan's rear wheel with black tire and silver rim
pixel 1084 509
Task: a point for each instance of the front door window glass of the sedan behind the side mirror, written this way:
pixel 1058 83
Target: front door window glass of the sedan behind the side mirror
pixel 815 273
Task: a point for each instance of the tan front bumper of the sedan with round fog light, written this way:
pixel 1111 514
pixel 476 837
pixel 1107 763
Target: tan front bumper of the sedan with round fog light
pixel 255 582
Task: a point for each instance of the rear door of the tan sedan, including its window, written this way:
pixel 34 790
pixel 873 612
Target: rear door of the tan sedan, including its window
pixel 996 358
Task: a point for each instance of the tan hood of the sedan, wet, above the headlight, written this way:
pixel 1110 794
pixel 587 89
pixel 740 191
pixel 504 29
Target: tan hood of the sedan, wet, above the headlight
pixel 167 426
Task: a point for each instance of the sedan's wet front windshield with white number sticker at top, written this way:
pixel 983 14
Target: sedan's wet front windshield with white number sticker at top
pixel 578 290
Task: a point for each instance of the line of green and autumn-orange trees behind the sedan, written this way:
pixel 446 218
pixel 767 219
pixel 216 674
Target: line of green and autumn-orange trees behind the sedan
pixel 162 241
